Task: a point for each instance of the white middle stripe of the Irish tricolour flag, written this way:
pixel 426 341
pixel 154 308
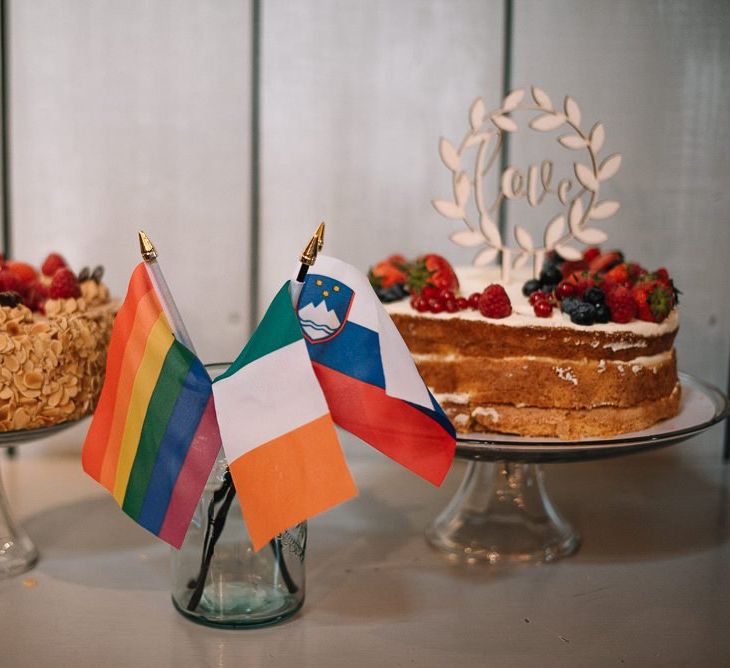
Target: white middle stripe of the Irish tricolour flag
pixel 266 407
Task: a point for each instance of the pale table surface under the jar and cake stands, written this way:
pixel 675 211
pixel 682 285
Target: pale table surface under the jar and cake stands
pixel 649 586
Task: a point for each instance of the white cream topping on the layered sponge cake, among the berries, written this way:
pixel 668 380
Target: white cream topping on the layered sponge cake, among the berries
pixel 475 279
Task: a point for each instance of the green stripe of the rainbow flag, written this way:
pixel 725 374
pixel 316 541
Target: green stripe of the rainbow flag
pixel 172 374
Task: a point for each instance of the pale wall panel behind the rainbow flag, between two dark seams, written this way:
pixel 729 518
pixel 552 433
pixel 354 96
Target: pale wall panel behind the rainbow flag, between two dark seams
pixel 136 114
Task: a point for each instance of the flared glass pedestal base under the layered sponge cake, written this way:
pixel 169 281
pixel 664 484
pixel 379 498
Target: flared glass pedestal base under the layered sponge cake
pixel 502 513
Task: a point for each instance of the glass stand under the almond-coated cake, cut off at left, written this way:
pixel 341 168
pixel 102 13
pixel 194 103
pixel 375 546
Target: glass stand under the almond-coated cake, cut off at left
pixel 17 552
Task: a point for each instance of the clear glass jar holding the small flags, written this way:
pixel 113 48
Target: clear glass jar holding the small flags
pixel 218 579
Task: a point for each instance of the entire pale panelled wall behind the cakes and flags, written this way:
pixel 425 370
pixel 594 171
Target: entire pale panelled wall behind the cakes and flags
pixel 138 114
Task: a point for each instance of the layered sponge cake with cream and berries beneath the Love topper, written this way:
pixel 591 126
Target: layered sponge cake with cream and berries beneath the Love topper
pixel 584 350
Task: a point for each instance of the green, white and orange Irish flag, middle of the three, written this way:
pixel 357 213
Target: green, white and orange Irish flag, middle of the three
pixel 278 436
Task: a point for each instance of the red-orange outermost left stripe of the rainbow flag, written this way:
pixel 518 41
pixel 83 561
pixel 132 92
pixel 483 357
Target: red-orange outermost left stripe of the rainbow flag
pixel 98 435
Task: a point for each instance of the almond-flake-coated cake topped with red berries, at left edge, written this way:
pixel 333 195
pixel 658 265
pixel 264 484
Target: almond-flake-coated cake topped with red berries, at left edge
pixel 55 327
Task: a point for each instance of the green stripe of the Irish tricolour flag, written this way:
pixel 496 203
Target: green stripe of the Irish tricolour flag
pixel 278 328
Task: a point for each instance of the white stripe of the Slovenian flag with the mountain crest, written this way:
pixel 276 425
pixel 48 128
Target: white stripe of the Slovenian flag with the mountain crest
pixel 402 379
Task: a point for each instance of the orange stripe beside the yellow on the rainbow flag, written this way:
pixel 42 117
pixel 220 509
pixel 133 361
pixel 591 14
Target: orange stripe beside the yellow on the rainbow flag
pixel 148 313
